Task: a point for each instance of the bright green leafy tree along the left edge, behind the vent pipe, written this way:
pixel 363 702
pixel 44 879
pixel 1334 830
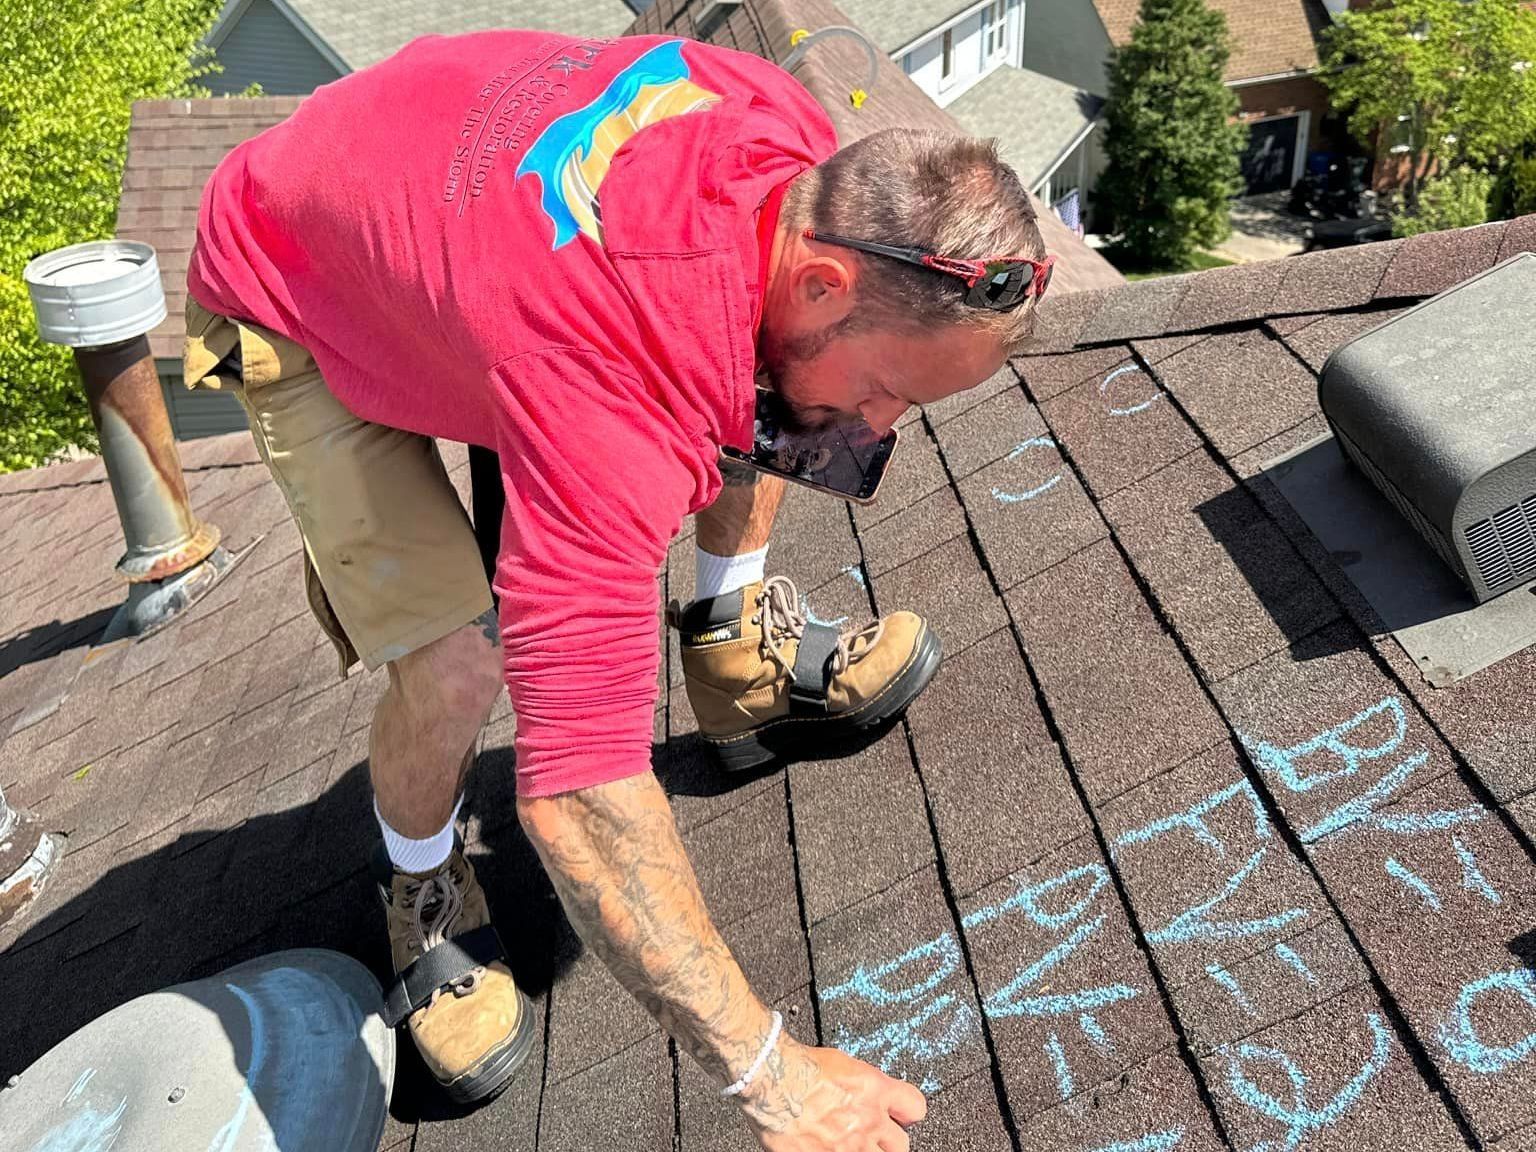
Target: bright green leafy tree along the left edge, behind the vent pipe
pixel 71 71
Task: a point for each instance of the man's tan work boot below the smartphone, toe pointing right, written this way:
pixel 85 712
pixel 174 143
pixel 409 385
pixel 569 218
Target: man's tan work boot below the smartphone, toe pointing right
pixel 769 684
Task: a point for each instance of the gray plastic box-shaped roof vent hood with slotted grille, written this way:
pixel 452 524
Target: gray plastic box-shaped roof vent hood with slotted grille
pixel 1438 409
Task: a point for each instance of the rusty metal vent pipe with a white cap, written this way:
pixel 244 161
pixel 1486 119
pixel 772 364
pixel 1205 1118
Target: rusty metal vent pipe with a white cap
pixel 102 299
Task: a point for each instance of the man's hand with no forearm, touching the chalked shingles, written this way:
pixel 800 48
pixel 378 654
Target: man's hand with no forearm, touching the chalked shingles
pixel 821 1101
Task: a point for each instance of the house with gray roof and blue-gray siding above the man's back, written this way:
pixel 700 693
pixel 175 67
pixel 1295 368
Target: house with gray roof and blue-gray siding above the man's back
pixel 294 47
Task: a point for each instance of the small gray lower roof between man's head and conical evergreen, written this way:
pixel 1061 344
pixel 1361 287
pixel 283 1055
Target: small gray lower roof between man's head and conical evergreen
pixel 1034 118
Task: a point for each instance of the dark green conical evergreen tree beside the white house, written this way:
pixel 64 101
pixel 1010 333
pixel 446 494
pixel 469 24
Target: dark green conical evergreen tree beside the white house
pixel 1170 136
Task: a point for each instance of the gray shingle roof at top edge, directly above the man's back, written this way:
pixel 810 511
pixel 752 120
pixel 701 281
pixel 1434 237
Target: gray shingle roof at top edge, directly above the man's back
pixel 362 33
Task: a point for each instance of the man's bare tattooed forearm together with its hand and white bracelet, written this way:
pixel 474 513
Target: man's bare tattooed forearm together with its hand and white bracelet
pixel 624 878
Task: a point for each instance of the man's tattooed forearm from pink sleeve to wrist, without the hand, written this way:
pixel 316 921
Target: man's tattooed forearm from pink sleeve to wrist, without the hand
pixel 629 890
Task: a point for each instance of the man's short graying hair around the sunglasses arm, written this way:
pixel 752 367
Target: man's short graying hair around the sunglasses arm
pixel 944 193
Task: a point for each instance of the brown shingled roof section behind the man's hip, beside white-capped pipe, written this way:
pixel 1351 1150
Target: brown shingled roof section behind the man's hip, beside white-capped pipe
pixel 173 150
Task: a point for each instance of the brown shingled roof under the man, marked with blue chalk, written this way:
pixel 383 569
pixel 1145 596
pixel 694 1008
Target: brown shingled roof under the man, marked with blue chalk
pixel 1065 839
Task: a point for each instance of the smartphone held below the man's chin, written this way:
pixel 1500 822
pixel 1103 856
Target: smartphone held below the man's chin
pixel 847 460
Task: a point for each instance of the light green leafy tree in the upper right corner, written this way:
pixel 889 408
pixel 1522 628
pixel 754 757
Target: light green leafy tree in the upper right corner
pixel 1446 82
